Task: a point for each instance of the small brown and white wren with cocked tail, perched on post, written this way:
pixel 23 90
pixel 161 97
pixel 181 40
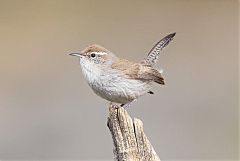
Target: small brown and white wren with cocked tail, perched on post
pixel 119 80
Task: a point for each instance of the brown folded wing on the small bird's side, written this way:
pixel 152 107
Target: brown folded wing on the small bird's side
pixel 138 71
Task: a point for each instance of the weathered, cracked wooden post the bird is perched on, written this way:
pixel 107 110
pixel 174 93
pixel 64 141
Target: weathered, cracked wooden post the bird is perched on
pixel 129 139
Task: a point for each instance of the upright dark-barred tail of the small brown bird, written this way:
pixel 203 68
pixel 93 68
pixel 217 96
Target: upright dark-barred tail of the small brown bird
pixel 154 52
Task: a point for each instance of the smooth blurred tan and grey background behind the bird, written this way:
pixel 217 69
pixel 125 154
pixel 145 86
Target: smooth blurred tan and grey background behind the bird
pixel 48 112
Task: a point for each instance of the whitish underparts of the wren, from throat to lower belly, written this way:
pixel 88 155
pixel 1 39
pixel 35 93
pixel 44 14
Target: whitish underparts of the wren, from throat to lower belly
pixel 112 85
